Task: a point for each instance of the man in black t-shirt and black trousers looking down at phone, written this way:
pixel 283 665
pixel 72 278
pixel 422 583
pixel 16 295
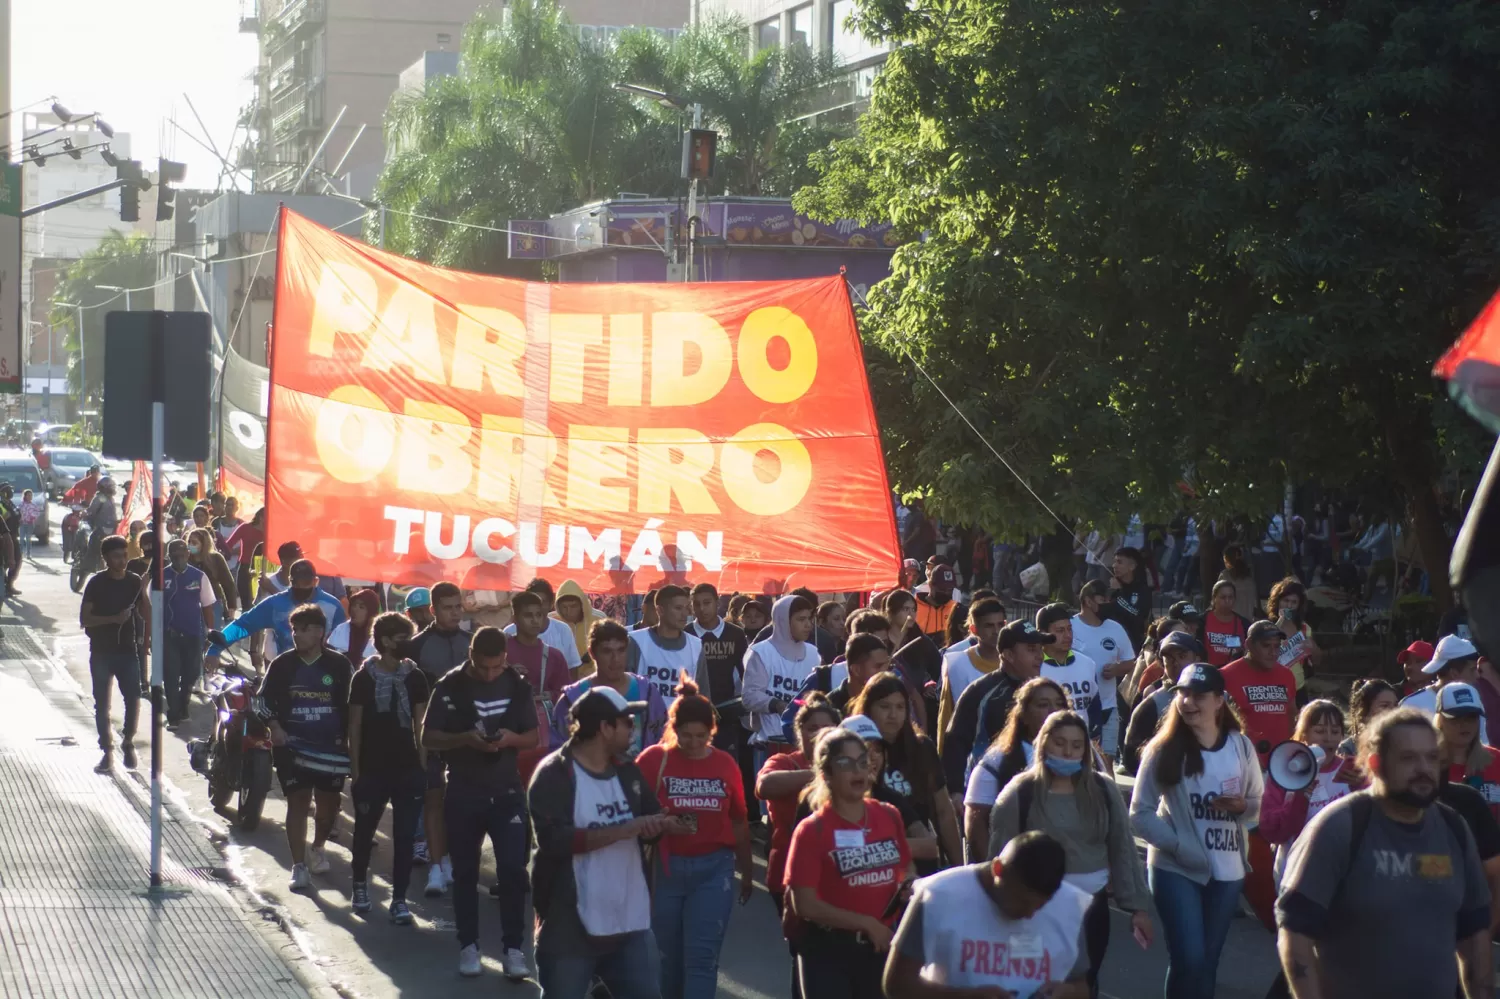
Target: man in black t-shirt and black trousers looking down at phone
pixel 482 718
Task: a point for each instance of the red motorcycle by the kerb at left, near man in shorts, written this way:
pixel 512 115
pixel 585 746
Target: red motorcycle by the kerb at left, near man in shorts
pixel 238 760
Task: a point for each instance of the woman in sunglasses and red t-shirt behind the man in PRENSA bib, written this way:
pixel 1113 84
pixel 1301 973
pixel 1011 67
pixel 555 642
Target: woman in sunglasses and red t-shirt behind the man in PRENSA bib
pixel 845 871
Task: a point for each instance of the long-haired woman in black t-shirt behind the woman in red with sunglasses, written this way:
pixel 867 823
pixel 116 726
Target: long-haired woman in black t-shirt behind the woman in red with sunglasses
pixel 911 763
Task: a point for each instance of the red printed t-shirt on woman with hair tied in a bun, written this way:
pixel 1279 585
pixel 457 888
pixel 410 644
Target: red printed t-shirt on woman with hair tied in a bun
pixel 710 788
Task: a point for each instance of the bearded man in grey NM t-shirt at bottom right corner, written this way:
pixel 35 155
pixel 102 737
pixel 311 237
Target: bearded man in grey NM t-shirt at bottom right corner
pixel 1393 850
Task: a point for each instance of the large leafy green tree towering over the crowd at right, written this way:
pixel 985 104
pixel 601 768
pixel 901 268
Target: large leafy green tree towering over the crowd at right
pixel 1177 242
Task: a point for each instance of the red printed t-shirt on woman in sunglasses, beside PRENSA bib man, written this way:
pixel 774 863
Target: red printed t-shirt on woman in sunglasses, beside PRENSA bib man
pixel 854 866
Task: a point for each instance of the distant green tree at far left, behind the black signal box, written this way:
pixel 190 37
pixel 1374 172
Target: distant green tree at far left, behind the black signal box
pixel 124 262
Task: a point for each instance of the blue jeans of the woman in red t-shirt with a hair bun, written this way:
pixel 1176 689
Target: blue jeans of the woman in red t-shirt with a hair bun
pixel 689 917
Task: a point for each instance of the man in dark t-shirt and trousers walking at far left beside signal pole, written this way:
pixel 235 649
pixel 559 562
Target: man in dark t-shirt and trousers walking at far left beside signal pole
pixel 109 614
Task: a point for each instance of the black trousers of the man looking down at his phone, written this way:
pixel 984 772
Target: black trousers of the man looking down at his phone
pixel 472 815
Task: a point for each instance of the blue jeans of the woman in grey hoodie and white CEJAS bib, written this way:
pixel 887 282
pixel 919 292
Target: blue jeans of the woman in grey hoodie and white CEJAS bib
pixel 1196 920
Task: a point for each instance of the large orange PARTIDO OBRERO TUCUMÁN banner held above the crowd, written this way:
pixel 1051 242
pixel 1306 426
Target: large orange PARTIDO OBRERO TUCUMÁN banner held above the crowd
pixel 431 425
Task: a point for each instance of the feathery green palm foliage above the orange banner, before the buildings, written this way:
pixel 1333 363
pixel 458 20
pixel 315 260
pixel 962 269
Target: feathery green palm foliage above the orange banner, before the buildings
pixel 532 125
